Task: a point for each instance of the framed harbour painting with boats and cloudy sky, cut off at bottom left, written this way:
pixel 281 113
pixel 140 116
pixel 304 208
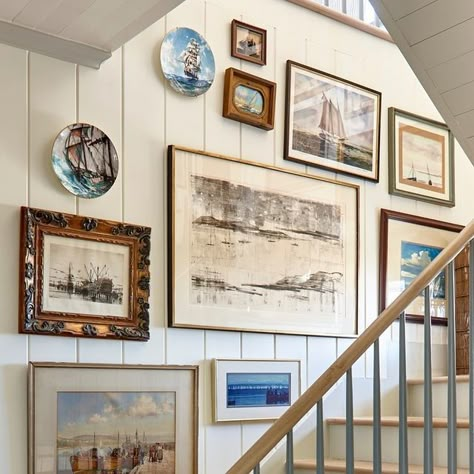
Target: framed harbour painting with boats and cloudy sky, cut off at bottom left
pixel 85 418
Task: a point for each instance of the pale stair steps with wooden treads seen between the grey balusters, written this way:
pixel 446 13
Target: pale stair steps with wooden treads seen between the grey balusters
pixel 363 428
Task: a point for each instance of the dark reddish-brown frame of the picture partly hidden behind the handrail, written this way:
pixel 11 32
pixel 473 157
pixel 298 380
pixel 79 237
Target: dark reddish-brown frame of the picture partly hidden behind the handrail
pixel 385 216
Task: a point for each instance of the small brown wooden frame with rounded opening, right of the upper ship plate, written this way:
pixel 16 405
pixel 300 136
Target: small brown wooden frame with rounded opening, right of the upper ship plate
pixel 235 78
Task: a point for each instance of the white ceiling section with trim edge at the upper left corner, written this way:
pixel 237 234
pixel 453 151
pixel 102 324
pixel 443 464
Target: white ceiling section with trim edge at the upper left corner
pixel 79 31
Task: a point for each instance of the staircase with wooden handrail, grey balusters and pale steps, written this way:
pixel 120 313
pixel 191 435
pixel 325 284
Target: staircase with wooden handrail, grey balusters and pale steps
pixel 434 426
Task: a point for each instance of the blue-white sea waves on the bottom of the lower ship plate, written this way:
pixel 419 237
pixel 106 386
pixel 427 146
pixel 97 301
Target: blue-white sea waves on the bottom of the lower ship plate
pixel 78 184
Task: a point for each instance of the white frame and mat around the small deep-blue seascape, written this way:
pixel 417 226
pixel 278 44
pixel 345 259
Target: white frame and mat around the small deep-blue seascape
pixel 222 367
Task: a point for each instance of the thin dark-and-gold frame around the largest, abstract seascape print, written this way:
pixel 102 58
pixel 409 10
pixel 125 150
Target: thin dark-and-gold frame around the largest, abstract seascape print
pixel 171 172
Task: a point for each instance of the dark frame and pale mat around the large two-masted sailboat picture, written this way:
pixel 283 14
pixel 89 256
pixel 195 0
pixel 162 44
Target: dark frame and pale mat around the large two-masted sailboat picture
pixel 343 82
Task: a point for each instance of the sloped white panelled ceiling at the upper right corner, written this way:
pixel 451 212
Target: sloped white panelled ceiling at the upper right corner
pixel 437 39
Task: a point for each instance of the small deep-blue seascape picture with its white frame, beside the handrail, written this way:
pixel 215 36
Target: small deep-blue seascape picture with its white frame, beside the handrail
pixel 254 389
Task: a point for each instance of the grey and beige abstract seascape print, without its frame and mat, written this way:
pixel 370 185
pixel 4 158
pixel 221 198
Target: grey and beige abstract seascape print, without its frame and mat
pixel 263 250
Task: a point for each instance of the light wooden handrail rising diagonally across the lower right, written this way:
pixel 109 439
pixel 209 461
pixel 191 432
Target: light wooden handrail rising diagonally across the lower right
pixel 329 378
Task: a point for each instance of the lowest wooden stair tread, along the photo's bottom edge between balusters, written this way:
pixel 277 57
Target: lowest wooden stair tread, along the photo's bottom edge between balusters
pixel 361 467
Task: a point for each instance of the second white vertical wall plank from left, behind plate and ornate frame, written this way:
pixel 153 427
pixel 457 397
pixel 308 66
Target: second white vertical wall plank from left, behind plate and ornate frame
pixel 52 106
